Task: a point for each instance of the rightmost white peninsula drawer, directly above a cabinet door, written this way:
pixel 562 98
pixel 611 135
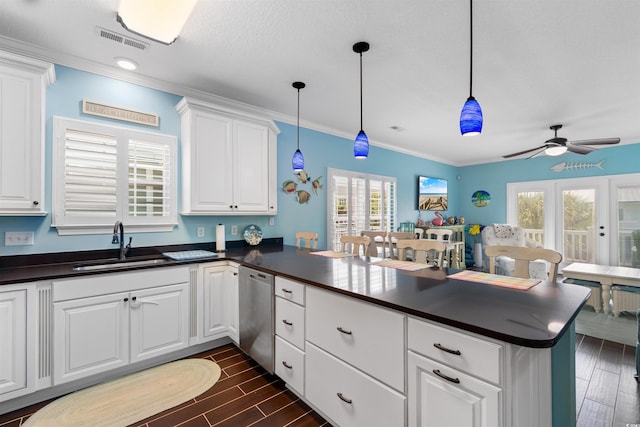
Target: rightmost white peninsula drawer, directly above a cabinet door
pixel 476 356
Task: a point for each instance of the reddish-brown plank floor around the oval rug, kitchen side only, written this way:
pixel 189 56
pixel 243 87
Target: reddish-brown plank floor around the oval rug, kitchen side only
pixel 245 395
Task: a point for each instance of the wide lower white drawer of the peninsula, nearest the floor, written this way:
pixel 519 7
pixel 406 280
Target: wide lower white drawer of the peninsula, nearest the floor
pixel 347 396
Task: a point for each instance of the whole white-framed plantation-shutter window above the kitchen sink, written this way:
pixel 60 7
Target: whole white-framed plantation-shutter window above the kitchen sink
pixel 103 173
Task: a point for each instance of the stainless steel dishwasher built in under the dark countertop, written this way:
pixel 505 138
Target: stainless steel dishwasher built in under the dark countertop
pixel 257 316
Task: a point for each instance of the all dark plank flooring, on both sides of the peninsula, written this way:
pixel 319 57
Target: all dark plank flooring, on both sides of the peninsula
pixel 607 393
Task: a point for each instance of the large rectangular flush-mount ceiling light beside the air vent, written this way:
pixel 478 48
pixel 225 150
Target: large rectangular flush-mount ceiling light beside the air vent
pixel 159 20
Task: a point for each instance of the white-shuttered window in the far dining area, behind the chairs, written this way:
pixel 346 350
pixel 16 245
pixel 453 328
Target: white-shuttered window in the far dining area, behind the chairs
pixel 359 202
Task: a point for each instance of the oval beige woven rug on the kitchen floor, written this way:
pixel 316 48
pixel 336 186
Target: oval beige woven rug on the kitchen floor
pixel 127 400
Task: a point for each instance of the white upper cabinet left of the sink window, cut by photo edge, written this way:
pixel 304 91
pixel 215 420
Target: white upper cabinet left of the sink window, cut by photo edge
pixel 23 84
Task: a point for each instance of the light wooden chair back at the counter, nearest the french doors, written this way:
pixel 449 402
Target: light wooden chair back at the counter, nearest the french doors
pixel 522 256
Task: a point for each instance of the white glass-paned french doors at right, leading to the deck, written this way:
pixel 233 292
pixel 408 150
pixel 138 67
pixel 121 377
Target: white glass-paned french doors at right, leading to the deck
pixel 591 220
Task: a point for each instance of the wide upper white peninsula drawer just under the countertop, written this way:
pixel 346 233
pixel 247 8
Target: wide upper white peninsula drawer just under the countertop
pixel 362 334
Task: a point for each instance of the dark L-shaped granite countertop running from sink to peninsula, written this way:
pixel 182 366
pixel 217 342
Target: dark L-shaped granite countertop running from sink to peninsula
pixel 535 318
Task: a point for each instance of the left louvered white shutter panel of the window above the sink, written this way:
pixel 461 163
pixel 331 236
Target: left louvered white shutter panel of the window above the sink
pixel 90 184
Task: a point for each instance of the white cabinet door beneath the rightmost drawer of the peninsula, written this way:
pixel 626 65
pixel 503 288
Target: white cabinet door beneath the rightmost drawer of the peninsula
pixel 441 396
